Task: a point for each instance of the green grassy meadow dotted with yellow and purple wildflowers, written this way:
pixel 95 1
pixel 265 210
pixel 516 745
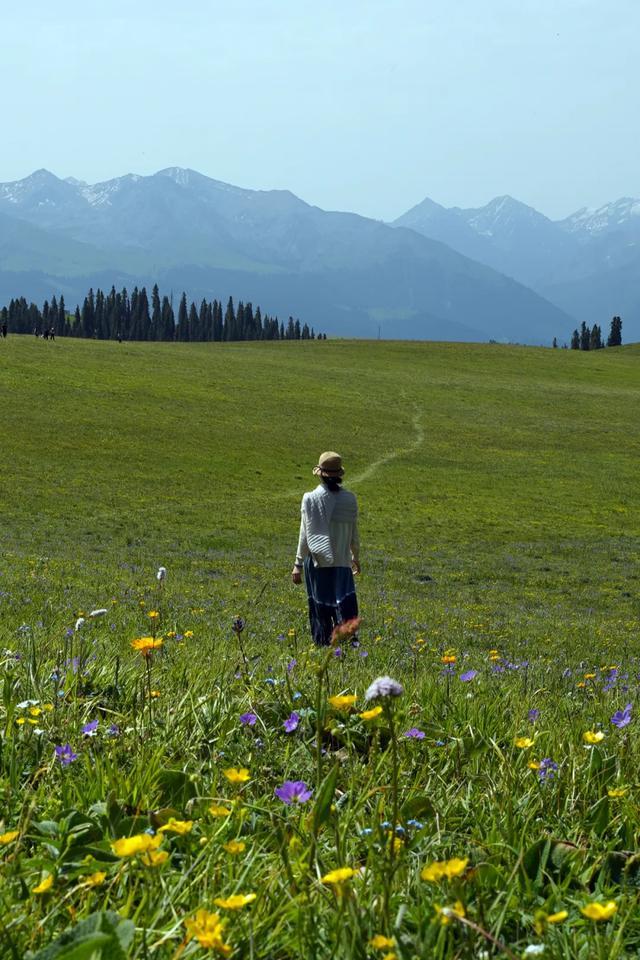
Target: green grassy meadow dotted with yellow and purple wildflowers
pixel 490 809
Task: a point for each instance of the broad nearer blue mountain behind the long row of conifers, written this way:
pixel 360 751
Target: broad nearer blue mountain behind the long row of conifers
pixel 339 272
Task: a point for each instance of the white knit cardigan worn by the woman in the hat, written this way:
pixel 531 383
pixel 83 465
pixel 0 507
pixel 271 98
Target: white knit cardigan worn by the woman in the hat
pixel 328 528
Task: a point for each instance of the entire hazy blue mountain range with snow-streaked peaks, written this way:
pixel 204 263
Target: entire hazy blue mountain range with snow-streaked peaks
pixel 502 272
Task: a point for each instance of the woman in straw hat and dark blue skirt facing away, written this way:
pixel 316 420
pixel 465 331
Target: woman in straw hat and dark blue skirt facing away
pixel 328 549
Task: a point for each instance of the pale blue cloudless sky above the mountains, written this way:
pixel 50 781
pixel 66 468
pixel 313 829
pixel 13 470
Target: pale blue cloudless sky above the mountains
pixel 367 106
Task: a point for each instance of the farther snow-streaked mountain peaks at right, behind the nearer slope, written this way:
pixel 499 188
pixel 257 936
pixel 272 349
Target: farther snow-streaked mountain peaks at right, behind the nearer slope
pixel 586 264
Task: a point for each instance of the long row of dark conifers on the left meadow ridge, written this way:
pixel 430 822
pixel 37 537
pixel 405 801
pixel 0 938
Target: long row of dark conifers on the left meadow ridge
pixel 123 316
